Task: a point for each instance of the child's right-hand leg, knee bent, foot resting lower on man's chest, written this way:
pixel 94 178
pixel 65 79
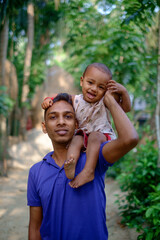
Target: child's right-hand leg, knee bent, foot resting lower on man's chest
pixel 95 139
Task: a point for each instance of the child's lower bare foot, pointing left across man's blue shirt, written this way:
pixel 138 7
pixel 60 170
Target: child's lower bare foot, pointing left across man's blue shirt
pixel 82 178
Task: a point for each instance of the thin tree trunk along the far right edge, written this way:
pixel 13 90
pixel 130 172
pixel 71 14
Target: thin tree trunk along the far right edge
pixel 158 96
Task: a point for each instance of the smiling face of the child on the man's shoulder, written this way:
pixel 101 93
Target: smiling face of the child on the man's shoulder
pixel 94 84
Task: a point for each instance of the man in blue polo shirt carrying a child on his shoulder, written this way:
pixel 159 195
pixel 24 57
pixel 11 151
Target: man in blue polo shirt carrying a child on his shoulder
pixel 57 211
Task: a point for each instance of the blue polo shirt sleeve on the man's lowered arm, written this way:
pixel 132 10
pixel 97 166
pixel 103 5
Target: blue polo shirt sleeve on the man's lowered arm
pixel 33 198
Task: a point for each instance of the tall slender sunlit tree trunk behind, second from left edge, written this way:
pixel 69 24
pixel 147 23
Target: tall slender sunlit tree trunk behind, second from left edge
pixel 27 65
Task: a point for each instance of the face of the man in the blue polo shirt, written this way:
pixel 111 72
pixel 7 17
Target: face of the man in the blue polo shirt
pixel 60 122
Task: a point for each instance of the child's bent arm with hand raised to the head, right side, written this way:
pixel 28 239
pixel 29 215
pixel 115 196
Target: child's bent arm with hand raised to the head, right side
pixel 119 89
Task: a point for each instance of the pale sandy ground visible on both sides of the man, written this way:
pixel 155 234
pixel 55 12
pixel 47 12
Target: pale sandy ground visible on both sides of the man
pixel 14 213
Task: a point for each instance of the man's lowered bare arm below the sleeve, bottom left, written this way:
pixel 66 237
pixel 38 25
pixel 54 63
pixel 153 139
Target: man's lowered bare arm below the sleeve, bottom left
pixel 35 223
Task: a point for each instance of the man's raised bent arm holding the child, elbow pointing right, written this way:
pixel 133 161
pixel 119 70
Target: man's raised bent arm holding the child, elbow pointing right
pixel 127 135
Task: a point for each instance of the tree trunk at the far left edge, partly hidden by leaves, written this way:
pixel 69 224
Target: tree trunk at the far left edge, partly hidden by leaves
pixel 3 127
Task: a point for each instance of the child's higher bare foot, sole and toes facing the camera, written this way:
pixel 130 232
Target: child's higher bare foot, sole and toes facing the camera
pixel 69 167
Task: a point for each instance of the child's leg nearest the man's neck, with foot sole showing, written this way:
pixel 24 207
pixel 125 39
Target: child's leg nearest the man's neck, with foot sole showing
pixel 73 155
